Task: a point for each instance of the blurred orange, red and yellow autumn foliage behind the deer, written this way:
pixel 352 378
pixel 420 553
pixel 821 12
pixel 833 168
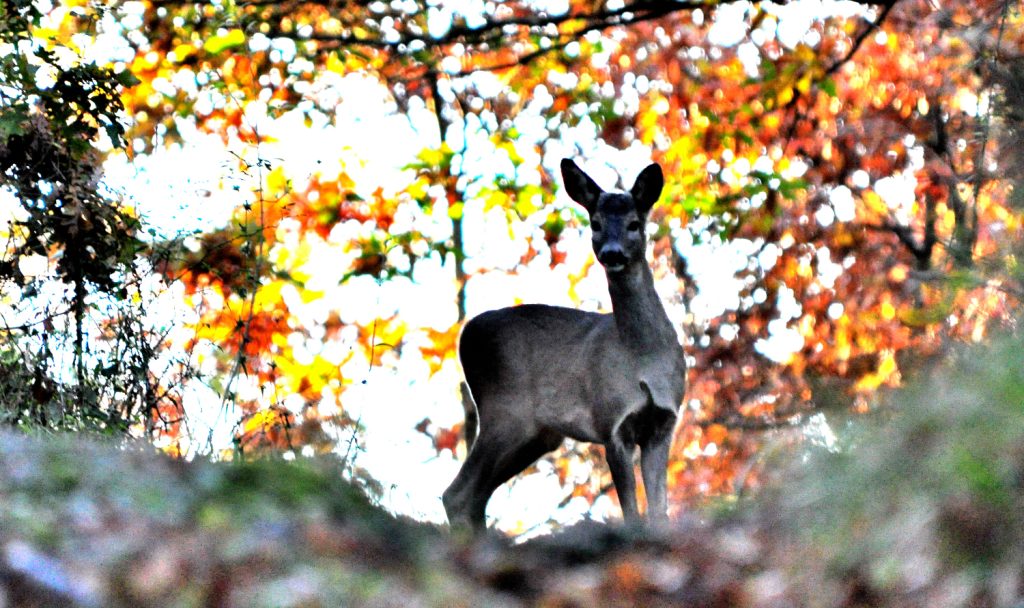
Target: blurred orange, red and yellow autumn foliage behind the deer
pixel 856 166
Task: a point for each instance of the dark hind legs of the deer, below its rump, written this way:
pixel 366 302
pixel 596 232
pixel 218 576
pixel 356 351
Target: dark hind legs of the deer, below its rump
pixel 494 460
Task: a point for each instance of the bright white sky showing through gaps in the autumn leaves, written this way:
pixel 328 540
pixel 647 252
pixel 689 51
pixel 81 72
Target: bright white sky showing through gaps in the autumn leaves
pixel 183 189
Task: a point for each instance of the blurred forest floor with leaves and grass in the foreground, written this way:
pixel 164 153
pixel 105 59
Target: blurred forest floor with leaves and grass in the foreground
pixel 922 506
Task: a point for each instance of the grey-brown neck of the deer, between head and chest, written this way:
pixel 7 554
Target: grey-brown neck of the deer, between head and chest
pixel 644 326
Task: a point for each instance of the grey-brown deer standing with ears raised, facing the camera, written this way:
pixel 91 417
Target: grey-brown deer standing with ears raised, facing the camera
pixel 539 374
